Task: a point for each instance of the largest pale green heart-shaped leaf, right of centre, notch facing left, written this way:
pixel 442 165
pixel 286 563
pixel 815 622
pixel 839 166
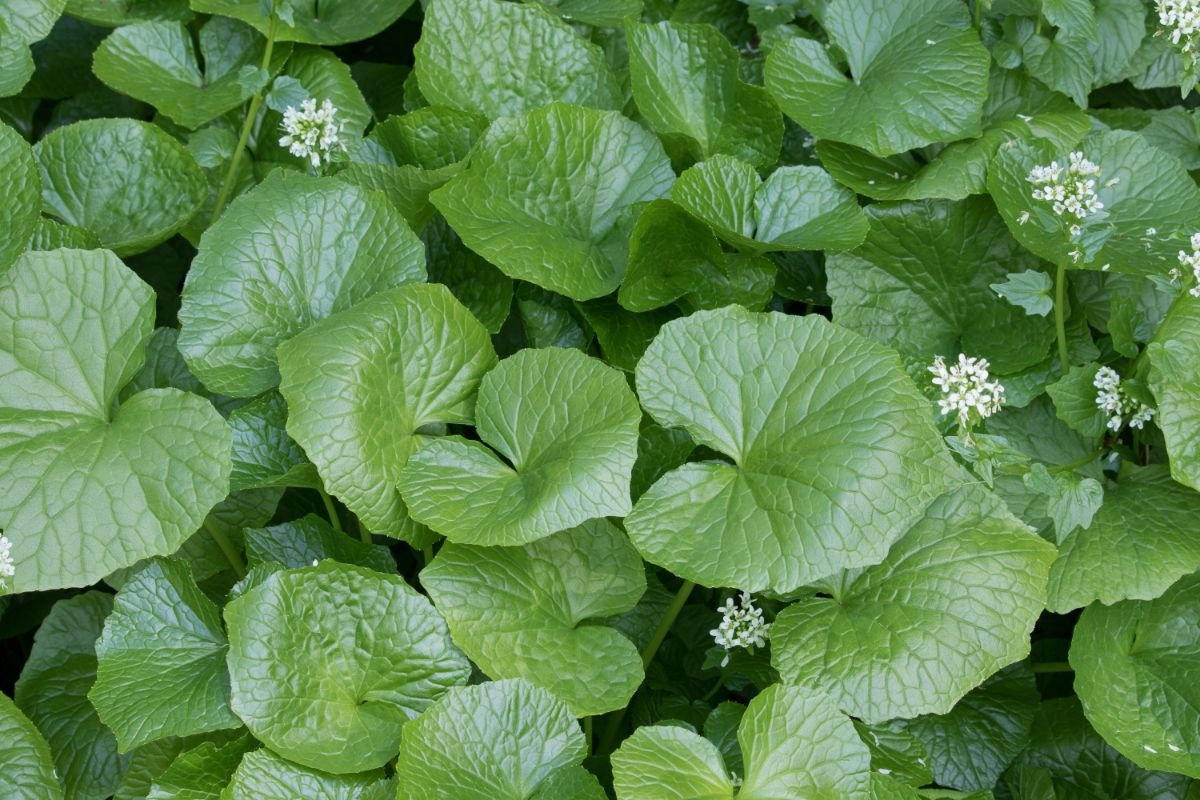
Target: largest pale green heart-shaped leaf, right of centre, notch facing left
pixel 833 450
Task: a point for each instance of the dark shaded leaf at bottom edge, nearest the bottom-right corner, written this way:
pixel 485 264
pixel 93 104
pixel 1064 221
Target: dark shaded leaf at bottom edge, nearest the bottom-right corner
pixel 1082 766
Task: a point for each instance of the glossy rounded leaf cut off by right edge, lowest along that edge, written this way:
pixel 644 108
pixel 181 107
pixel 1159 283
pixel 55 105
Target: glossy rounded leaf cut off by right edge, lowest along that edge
pixel 1138 676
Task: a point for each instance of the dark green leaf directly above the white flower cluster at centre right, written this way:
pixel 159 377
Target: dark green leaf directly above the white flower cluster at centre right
pixel 925 284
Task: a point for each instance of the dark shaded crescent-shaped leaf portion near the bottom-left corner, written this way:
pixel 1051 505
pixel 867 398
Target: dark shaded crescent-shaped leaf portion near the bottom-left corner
pixel 53 694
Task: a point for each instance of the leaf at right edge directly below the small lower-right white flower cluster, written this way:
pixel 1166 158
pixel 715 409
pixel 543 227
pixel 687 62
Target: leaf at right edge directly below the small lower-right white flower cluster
pixel 1138 545
